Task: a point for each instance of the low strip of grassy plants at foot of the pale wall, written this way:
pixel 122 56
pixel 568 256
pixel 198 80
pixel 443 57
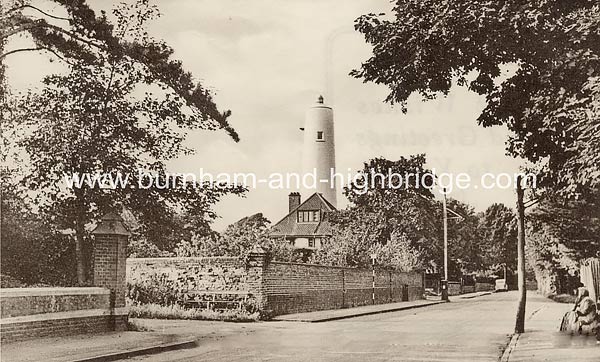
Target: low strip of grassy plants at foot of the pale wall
pixel 155 311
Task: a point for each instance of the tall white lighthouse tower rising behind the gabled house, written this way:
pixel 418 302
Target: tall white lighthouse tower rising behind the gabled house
pixel 318 154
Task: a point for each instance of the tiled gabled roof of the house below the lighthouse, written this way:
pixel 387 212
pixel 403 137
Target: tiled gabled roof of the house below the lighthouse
pixel 289 226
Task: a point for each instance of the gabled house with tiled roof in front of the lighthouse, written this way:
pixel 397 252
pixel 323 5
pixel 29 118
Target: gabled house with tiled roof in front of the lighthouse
pixel 306 225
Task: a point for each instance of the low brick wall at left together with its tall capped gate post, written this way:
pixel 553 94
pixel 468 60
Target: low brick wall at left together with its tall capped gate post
pixel 38 312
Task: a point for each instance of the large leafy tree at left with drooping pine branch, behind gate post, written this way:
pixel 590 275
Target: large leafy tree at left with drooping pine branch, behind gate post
pixel 123 105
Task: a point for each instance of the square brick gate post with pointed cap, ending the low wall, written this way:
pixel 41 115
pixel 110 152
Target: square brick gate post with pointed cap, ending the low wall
pixel 110 254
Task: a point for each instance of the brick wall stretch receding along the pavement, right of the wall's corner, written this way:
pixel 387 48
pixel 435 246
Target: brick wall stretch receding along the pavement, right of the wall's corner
pixel 293 288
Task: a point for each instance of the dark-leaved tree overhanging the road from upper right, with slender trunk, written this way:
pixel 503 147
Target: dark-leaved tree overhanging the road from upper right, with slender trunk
pixel 553 47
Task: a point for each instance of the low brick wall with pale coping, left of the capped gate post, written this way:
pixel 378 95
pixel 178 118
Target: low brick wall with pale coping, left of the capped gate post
pixel 38 312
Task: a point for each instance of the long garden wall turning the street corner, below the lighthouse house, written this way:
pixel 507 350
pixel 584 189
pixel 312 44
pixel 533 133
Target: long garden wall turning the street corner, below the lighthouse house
pixel 272 286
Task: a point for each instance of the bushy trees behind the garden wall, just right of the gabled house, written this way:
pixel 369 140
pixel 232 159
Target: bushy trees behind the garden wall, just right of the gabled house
pixel 402 225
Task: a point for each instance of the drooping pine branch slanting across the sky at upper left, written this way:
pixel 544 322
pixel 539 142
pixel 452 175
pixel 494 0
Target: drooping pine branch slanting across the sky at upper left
pixel 89 38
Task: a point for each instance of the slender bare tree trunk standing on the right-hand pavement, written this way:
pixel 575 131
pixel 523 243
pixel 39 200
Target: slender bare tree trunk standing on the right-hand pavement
pixel 520 322
